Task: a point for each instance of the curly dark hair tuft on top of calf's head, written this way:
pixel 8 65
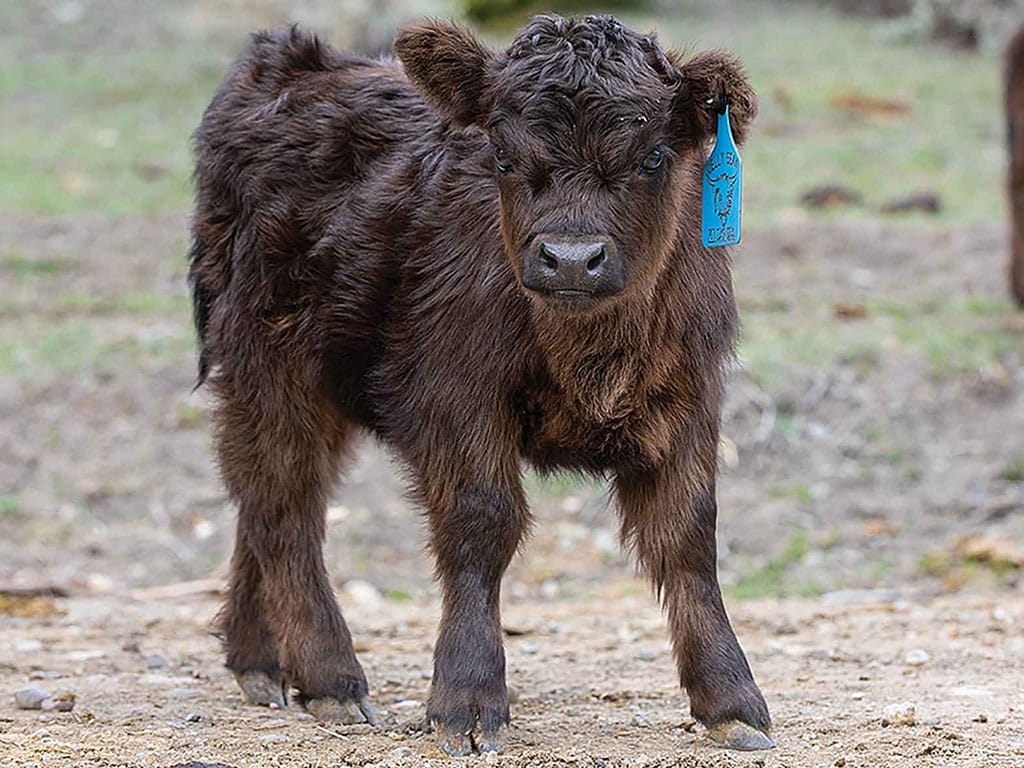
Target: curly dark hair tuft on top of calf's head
pixel 575 54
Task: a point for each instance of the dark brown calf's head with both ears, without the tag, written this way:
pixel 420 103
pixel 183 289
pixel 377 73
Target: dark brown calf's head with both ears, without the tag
pixel 598 139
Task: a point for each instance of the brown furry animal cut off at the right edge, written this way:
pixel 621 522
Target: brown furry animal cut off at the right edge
pixel 1015 123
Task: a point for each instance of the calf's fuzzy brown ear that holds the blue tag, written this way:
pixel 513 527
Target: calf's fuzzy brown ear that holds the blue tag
pixel 708 81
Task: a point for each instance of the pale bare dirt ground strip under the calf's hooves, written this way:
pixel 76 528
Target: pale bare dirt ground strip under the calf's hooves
pixel 594 682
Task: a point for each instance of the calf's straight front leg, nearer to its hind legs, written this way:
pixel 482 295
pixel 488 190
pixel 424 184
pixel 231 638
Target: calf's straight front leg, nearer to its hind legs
pixel 475 533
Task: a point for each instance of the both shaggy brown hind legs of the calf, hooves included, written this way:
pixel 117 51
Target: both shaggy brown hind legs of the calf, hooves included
pixel 281 622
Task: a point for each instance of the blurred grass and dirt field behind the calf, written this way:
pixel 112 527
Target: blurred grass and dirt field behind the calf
pixel 874 438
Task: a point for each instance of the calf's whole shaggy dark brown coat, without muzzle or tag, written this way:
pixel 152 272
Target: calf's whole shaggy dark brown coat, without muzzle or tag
pixel 357 265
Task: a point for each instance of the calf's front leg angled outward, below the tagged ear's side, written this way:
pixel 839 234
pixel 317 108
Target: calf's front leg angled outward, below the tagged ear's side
pixel 669 516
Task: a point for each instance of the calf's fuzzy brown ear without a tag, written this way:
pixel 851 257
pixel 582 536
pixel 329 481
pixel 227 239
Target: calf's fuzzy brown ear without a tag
pixel 449 66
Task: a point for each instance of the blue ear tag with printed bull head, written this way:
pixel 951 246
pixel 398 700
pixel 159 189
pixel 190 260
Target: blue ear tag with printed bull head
pixel 723 186
